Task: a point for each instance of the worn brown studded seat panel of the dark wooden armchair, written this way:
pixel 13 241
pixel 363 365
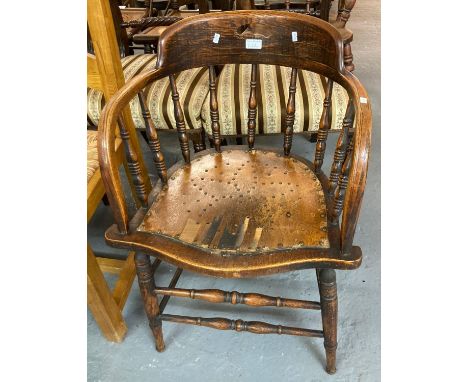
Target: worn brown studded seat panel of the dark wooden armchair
pixel 241 201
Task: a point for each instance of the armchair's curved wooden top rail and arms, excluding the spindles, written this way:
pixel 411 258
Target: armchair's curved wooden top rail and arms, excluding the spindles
pixel 218 39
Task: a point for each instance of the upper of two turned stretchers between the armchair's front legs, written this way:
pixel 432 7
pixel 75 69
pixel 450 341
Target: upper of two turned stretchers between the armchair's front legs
pixel 253 299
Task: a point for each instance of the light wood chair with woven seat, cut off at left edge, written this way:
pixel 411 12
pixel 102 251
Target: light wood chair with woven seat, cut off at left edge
pixel 104 72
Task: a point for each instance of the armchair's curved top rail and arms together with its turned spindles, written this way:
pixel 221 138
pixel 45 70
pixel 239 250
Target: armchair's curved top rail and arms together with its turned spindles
pixel 218 39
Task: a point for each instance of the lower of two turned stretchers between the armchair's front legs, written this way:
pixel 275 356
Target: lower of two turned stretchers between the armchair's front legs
pixel 256 327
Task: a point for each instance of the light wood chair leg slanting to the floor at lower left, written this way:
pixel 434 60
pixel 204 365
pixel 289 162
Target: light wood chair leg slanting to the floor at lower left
pixel 101 303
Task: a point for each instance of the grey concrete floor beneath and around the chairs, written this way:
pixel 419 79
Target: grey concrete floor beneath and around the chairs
pixel 202 354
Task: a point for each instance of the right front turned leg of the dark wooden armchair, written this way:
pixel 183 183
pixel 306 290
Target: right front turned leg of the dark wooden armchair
pixel 328 299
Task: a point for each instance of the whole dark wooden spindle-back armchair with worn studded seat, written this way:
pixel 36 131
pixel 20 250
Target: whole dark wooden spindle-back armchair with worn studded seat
pixel 237 211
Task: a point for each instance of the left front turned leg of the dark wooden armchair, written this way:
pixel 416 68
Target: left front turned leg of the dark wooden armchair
pixel 150 300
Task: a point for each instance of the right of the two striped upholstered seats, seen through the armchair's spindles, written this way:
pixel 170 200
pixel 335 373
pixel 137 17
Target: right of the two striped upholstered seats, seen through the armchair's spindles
pixel 272 95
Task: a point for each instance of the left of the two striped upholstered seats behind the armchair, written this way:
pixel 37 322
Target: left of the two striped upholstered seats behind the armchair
pixel 192 86
